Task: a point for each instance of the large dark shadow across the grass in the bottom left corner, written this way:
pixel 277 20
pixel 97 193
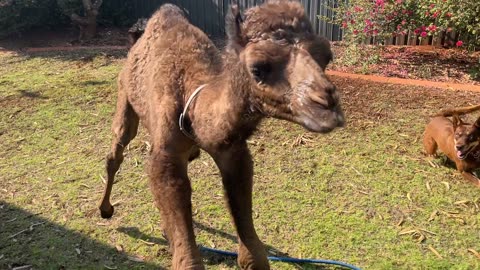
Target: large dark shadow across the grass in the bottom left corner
pixel 29 240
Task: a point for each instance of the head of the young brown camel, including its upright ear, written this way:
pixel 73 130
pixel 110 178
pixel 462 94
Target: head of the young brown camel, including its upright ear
pixel 286 64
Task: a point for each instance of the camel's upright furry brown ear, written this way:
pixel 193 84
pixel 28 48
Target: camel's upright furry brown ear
pixel 233 23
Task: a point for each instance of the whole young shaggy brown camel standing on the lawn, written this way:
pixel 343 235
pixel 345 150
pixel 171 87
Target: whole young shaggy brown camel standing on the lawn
pixel 273 66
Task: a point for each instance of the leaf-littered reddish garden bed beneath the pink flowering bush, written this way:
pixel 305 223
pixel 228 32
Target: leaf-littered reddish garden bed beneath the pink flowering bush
pixel 413 62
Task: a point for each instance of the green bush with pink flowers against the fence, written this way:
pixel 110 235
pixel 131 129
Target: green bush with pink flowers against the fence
pixel 382 19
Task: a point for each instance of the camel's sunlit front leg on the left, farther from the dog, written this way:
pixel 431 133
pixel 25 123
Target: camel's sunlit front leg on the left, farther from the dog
pixel 172 192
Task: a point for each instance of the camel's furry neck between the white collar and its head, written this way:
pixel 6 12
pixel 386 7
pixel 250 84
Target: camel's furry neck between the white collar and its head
pixel 223 111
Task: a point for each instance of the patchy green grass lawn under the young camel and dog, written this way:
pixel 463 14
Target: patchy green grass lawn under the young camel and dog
pixel 363 194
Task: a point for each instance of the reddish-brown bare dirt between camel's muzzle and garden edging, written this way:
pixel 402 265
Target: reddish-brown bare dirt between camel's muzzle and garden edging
pixel 385 100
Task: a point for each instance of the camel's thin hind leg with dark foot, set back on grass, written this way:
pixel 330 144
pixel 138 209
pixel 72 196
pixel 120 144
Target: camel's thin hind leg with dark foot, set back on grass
pixel 124 127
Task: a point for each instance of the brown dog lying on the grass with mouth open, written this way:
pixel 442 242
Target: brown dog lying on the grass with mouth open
pixel 458 140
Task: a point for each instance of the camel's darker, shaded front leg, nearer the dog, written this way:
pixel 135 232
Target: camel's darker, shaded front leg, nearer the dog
pixel 235 165
